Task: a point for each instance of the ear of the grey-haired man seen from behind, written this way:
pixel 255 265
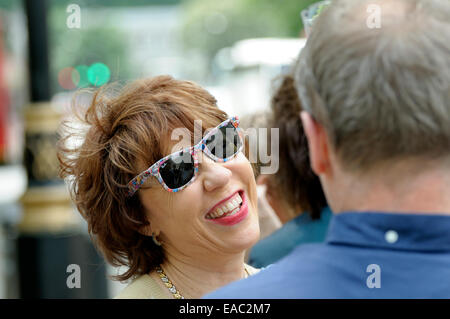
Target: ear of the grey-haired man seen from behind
pixel 317 142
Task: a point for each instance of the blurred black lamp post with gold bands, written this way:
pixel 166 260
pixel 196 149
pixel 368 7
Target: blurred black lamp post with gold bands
pixel 50 238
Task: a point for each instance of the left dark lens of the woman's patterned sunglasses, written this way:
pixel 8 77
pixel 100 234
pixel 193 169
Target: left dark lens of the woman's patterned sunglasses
pixel 178 170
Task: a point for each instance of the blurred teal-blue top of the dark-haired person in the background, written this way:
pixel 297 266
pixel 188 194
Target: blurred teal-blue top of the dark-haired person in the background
pixel 299 230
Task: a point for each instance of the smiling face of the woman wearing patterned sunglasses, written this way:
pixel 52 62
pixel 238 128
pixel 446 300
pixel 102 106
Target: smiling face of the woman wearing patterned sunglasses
pixel 188 221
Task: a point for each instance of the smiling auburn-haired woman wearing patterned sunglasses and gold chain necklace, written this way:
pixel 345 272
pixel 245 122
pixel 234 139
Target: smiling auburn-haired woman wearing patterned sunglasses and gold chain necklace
pixel 179 217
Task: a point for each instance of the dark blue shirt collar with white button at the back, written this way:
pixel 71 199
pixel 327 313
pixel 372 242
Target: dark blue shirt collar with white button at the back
pixel 398 231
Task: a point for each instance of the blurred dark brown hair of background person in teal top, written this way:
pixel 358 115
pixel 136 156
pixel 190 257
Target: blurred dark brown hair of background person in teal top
pixel 296 182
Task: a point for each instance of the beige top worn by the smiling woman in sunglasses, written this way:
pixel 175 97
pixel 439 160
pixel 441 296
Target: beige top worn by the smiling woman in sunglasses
pixel 151 287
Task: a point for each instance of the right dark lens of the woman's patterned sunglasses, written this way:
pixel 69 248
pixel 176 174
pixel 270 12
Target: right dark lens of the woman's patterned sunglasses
pixel 225 142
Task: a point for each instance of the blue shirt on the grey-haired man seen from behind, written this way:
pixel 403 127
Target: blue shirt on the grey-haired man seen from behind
pixel 366 255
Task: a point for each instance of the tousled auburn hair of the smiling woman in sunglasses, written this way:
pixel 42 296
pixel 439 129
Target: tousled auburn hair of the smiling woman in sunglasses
pixel 124 132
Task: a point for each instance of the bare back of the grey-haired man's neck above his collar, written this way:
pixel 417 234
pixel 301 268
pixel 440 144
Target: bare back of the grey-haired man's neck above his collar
pixel 403 190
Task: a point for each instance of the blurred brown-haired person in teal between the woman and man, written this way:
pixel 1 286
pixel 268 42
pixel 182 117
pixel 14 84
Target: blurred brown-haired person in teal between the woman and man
pixel 294 192
